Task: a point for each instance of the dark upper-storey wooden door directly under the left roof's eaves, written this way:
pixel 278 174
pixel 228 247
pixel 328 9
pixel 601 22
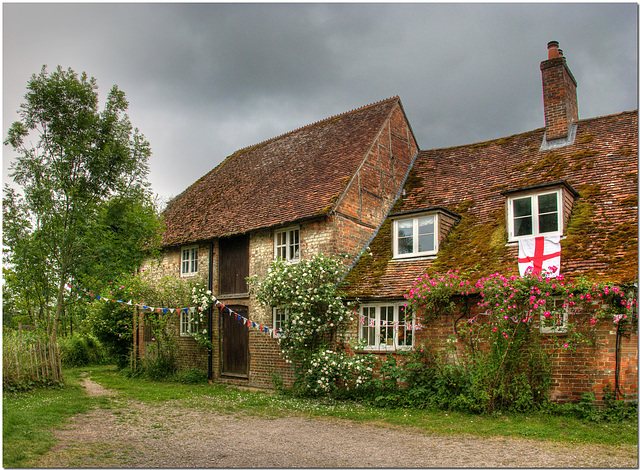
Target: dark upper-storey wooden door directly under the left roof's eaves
pixel 234 265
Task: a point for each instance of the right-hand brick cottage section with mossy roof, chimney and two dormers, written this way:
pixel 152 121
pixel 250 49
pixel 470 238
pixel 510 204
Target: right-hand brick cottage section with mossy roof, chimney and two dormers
pixel 467 208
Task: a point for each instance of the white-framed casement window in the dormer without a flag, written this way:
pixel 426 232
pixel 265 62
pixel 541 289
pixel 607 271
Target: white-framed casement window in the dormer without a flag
pixel 415 236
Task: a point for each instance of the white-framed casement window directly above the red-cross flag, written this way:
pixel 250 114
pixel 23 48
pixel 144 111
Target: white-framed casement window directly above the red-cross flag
pixel 534 215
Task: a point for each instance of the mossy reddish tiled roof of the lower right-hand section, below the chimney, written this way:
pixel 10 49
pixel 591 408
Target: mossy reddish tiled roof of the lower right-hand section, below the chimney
pixel 600 239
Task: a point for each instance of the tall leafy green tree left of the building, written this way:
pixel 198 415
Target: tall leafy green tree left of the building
pixel 81 171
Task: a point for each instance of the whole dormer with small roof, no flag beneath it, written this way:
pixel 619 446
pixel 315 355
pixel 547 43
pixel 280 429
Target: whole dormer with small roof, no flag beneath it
pixel 418 234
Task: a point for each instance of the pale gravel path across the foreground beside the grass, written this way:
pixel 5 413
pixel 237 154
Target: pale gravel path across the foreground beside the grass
pixel 134 434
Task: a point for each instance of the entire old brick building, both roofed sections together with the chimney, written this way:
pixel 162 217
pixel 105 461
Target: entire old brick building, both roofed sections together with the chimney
pixel 359 180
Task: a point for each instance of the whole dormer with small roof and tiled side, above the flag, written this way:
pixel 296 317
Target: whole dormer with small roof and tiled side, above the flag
pixel 538 211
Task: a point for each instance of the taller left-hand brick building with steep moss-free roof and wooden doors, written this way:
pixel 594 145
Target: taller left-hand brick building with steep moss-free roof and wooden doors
pixel 323 188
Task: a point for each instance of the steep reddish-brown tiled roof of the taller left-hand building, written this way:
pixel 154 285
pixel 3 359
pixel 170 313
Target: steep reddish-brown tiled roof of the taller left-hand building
pixel 292 177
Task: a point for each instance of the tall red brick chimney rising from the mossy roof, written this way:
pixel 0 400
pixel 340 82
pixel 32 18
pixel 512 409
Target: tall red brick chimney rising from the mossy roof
pixel 560 98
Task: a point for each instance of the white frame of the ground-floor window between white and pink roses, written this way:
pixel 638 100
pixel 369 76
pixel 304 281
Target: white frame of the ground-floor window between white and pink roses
pixel 373 335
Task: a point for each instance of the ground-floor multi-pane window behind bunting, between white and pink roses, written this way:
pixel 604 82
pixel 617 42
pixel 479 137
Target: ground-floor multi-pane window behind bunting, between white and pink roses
pixel 386 327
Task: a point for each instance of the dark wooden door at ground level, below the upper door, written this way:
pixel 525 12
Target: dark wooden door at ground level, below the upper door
pixel 235 342
